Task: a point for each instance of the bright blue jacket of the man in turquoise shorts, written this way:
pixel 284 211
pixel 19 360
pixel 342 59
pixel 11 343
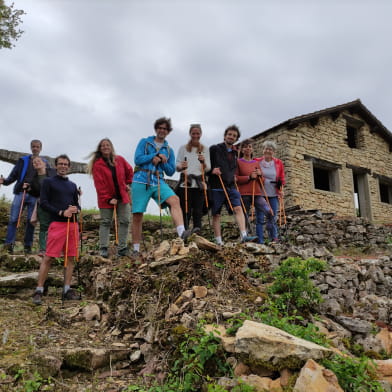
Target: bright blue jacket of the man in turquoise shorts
pixel 145 171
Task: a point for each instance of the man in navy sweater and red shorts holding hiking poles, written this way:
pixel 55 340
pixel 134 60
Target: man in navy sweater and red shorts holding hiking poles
pixel 59 196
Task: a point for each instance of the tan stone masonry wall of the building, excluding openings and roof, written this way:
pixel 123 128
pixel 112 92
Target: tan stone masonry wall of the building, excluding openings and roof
pixel 326 140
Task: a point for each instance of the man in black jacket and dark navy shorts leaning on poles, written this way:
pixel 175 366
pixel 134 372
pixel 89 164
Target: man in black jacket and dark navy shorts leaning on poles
pixel 222 181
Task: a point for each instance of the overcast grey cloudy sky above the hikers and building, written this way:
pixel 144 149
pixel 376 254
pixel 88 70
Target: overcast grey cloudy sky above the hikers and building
pixel 88 69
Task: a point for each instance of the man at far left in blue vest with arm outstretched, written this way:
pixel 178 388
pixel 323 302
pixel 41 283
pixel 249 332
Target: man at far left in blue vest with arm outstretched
pixel 21 173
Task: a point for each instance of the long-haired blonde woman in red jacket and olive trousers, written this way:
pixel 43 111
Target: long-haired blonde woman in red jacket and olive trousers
pixel 112 176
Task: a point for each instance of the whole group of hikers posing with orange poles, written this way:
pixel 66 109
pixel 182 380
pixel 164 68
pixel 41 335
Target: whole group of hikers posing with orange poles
pixel 246 185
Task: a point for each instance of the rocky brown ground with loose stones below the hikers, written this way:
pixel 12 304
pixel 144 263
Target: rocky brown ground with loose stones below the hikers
pixel 124 331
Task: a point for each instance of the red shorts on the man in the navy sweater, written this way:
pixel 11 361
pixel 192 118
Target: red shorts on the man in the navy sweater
pixel 56 243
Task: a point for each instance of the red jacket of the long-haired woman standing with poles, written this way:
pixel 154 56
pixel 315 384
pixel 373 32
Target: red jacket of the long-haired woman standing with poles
pixel 105 183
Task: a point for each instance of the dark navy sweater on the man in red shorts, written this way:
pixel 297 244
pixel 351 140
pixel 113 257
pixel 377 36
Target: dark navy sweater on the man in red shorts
pixel 57 194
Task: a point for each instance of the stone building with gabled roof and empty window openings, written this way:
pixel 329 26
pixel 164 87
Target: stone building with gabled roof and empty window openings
pixel 337 160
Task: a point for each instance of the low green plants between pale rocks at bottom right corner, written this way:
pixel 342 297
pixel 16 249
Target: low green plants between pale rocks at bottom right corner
pixel 354 374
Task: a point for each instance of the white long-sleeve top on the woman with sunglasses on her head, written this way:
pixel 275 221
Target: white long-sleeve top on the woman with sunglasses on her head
pixel 194 170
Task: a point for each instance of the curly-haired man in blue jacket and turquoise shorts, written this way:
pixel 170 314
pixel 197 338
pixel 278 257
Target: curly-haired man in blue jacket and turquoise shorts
pixel 153 159
